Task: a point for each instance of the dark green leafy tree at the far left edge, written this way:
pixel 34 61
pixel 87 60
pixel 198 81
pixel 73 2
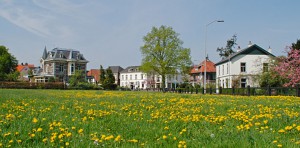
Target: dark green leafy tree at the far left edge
pixel 8 64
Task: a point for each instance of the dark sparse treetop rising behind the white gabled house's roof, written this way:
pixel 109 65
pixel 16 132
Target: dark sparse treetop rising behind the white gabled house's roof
pixel 228 50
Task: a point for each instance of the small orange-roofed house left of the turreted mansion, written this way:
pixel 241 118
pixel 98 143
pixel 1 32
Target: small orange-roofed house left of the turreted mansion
pixel 25 70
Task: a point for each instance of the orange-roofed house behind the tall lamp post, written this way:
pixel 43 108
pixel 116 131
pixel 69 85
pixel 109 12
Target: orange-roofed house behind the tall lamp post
pixel 197 73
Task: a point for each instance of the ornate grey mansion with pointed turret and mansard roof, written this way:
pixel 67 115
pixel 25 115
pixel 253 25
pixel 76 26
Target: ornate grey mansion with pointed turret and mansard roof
pixel 60 64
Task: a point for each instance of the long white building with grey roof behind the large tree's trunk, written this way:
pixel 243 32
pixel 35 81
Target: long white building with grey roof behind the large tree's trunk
pixel 133 78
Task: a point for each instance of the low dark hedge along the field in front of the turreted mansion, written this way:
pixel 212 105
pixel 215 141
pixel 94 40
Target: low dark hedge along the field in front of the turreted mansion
pixel 28 85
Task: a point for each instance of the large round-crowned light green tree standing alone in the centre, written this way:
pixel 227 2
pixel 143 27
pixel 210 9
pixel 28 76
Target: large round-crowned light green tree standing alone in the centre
pixel 163 53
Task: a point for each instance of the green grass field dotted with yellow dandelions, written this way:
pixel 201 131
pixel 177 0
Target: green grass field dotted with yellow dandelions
pixel 46 118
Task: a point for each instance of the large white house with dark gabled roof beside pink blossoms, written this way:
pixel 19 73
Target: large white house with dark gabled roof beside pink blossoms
pixel 240 68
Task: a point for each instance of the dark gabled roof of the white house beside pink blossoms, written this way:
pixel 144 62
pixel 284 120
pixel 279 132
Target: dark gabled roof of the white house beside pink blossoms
pixel 252 50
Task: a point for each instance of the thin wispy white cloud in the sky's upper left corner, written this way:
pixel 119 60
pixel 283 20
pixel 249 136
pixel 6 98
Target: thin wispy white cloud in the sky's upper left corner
pixel 34 19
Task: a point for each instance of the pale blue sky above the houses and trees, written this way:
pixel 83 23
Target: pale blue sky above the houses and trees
pixel 110 32
